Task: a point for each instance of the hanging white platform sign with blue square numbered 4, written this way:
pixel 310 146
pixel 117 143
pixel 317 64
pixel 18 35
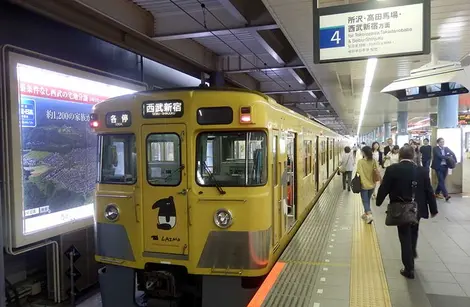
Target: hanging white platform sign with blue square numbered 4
pixel 371 29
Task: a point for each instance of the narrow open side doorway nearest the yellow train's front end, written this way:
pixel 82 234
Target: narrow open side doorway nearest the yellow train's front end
pixel 291 145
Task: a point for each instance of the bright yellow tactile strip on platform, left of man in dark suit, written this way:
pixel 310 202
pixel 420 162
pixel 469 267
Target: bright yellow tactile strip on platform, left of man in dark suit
pixel 368 284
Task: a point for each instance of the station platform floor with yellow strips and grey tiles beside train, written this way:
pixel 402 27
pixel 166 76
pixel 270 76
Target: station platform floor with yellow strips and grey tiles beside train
pixel 336 260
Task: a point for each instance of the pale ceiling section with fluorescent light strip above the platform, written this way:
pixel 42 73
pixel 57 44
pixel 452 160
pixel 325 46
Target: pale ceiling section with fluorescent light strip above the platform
pixel 342 83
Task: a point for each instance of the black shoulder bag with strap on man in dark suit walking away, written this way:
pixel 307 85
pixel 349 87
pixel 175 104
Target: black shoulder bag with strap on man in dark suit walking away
pixel 406 212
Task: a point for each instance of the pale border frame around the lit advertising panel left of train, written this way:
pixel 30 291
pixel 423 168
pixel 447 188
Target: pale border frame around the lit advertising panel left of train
pixel 12 168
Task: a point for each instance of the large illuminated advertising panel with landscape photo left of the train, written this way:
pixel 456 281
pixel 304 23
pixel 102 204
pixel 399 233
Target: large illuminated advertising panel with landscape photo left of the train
pixel 58 149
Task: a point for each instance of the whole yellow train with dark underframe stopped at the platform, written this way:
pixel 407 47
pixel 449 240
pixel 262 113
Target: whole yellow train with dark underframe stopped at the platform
pixel 201 189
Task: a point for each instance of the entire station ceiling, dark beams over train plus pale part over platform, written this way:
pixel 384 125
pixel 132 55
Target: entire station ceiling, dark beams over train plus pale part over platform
pixel 266 45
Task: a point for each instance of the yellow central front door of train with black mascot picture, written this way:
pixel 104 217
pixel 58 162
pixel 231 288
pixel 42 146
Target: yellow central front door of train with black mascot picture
pixel 164 190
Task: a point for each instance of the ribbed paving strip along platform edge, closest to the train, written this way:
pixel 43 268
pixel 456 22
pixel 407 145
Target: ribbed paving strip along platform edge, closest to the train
pixel 295 284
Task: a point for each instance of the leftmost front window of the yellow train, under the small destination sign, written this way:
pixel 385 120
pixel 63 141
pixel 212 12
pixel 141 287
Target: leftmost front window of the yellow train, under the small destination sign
pixel 117 163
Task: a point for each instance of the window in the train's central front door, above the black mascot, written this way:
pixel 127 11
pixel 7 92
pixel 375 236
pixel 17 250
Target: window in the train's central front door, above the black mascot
pixel 164 159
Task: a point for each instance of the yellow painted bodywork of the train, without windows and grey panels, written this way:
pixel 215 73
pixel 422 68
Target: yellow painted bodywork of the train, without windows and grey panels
pixel 253 208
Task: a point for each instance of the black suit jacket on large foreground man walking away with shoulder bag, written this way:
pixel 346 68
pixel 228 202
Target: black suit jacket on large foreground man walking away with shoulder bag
pixel 397 184
